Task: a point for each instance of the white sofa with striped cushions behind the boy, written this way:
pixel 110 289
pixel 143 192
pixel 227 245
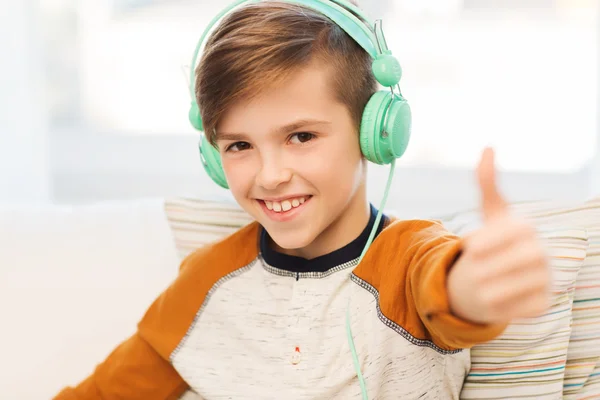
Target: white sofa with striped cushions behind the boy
pixel 75 280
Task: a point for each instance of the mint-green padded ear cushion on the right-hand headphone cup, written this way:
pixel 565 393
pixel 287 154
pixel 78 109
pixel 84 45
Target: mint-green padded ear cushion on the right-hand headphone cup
pixel 371 127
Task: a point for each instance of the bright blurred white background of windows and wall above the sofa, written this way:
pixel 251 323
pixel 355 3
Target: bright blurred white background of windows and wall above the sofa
pixel 94 100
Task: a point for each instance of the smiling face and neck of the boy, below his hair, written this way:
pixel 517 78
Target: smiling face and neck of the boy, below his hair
pixel 292 160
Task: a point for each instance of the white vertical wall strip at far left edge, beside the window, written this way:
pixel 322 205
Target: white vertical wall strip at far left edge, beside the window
pixel 24 174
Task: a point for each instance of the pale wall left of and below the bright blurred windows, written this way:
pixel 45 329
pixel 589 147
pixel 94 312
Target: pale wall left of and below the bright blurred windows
pixel 67 167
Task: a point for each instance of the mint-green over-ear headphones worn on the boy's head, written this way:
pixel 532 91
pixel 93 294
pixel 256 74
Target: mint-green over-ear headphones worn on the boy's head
pixel 386 122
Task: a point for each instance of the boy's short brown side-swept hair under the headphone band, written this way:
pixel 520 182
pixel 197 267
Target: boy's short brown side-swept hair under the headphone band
pixel 262 43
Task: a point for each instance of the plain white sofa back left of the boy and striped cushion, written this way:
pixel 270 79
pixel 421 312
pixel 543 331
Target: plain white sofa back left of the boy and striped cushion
pixel 74 282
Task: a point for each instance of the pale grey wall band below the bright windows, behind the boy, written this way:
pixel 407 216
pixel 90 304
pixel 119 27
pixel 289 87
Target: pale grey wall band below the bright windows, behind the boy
pixel 95 166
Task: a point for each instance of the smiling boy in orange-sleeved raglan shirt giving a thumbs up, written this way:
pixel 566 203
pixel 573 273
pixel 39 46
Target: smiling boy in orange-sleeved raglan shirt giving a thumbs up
pixel 265 313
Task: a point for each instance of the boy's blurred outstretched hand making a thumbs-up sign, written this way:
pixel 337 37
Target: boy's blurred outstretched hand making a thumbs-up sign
pixel 503 271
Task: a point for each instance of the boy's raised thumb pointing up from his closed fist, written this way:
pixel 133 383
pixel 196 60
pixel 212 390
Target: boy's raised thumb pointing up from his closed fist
pixel 492 202
